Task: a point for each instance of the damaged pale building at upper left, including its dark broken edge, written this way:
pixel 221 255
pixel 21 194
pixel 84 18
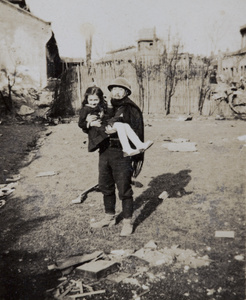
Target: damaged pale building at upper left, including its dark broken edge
pixel 29 54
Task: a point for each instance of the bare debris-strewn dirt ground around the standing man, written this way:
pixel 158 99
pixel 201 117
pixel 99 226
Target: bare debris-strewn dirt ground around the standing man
pixel 206 188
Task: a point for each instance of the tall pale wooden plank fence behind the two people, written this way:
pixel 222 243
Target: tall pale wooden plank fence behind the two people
pixel 184 101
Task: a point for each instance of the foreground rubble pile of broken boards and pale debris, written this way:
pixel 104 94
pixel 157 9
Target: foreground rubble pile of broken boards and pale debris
pixel 80 273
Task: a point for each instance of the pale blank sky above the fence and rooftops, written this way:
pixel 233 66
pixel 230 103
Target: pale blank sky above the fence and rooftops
pixel 202 25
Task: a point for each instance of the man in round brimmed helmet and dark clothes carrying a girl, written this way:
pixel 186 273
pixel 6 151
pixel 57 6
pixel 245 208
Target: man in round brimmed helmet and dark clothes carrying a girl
pixel 115 169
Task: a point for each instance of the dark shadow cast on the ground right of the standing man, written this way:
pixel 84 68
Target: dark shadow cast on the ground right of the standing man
pixel 173 184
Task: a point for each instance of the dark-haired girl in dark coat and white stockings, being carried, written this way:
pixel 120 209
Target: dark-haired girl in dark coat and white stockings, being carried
pixel 94 104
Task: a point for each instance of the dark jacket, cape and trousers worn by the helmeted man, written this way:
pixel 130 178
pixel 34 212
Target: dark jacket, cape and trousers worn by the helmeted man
pixel 114 169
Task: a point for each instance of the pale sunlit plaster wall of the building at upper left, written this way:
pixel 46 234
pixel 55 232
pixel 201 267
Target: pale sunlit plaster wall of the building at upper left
pixel 23 38
